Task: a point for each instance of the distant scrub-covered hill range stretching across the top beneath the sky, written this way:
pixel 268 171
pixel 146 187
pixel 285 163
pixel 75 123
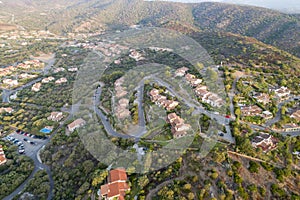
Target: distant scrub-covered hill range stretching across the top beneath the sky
pixel 268 26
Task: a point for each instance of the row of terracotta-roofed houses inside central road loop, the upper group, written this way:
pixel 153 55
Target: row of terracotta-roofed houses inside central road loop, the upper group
pixel 162 100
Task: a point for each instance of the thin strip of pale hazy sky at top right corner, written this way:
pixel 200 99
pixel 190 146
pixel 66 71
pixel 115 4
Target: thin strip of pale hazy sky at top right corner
pixel 287 5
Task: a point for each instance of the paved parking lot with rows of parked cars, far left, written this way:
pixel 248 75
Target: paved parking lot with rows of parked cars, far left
pixel 27 144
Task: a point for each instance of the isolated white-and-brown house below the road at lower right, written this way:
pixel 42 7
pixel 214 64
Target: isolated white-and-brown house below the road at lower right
pixel 264 141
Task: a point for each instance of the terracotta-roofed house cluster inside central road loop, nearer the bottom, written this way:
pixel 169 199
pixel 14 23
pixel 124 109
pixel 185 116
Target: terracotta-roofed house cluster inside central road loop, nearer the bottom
pixel 179 127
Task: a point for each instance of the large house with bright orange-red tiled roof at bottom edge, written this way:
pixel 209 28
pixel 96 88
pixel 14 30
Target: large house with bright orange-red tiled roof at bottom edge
pixel 116 186
